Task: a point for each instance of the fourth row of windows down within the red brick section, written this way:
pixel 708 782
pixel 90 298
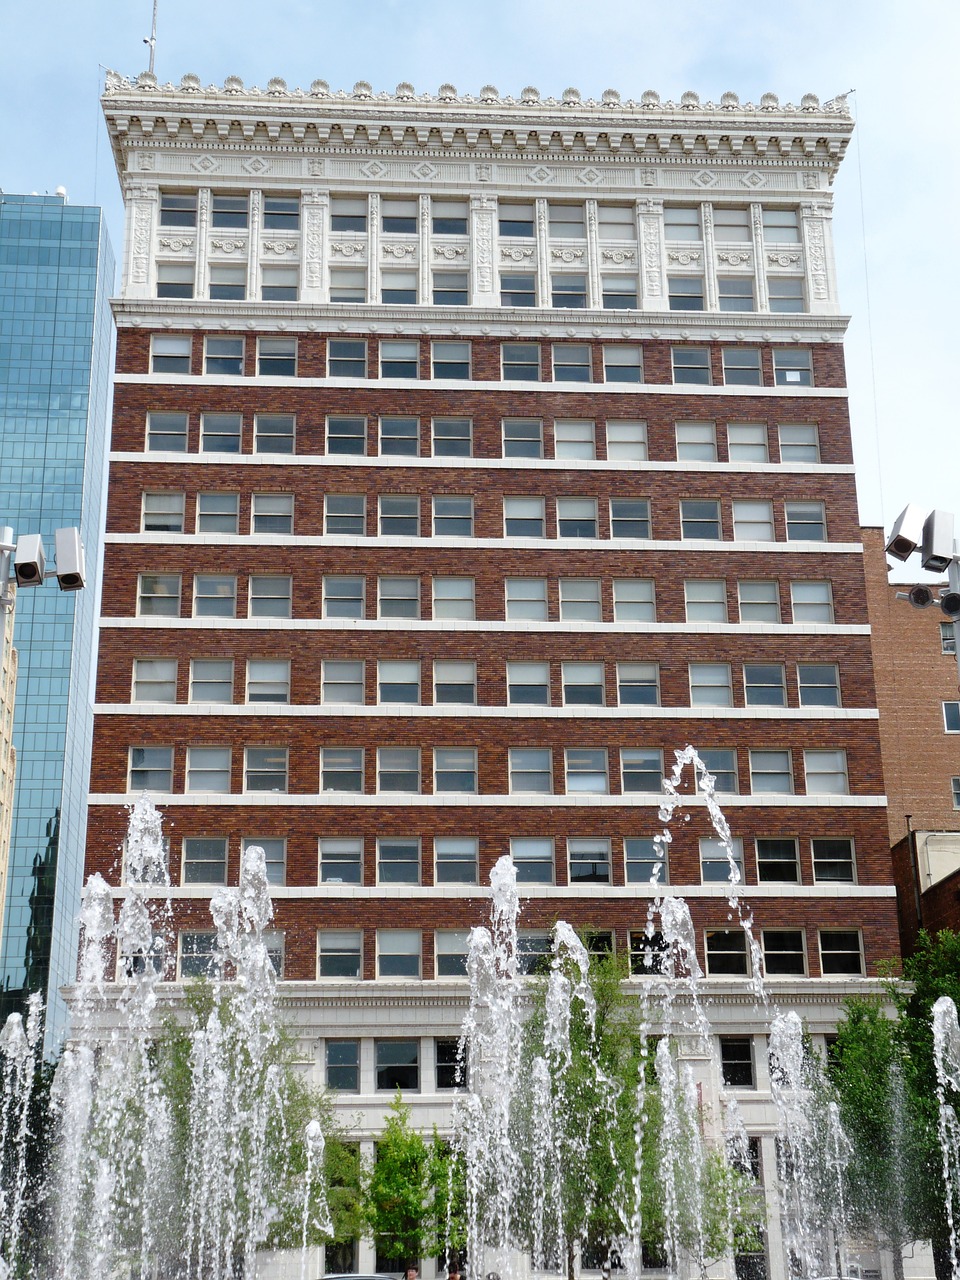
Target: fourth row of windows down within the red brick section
pixel 527 600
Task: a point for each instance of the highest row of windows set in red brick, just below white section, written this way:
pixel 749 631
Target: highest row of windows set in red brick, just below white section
pixel 520 362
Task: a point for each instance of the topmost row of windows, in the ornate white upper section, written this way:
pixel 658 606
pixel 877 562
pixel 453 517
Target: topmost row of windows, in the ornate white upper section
pixel 516 218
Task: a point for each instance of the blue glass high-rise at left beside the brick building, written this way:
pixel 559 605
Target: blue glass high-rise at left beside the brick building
pixel 57 275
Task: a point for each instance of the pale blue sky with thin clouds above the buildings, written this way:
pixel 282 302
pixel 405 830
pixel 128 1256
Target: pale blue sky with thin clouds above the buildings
pixel 899 271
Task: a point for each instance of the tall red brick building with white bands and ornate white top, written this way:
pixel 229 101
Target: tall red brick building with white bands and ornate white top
pixel 470 456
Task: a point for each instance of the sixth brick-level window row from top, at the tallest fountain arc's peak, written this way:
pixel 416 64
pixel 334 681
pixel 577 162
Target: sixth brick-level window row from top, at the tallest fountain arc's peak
pixel 531 771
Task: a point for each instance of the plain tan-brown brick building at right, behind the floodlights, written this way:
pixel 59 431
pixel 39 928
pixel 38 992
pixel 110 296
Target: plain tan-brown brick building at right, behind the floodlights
pixel 915 659
